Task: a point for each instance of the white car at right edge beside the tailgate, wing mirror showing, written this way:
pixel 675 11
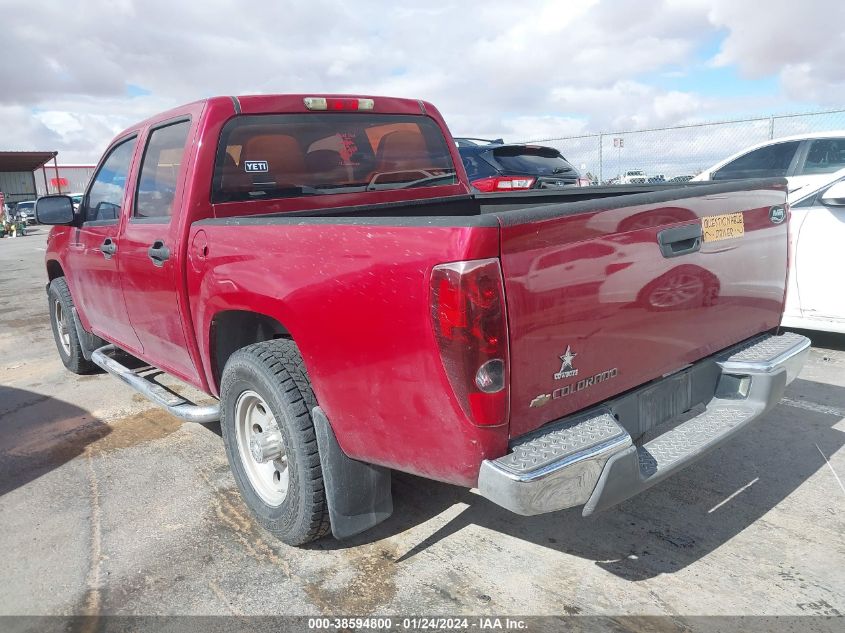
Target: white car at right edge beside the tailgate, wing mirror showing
pixel 815 296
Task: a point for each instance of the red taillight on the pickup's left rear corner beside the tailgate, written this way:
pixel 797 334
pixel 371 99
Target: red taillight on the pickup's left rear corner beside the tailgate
pixel 468 310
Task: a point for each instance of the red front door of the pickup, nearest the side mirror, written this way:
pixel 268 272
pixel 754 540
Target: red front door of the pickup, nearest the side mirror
pixel 94 252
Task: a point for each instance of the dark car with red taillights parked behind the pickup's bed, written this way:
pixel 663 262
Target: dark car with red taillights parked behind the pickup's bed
pixel 499 166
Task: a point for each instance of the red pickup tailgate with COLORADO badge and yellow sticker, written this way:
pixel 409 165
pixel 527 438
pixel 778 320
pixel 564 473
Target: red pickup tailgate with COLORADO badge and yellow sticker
pixel 596 305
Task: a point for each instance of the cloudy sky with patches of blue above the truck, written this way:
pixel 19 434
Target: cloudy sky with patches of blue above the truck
pixel 74 74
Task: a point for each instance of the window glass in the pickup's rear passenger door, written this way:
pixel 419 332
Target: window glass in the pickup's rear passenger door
pixel 160 171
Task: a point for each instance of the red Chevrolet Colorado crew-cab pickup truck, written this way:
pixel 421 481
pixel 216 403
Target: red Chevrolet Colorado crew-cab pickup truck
pixel 320 265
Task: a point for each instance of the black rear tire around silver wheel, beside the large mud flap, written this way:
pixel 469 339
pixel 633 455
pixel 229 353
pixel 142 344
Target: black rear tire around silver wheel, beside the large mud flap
pixel 275 371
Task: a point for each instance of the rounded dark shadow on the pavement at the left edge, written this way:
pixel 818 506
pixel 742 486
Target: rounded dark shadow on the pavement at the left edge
pixel 39 433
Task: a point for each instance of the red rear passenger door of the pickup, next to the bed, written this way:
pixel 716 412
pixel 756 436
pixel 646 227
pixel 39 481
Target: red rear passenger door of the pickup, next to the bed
pixel 150 257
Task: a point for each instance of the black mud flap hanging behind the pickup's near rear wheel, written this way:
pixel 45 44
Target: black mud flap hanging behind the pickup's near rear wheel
pixel 358 494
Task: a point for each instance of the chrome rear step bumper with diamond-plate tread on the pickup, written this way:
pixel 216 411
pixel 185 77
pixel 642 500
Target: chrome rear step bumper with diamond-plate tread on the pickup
pixel 591 459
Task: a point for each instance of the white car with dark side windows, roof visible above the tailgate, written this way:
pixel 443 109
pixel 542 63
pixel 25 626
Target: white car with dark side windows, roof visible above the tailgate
pixel 804 160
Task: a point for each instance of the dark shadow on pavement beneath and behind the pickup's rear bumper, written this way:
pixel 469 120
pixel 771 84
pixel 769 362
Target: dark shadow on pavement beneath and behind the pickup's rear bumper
pixel 673 524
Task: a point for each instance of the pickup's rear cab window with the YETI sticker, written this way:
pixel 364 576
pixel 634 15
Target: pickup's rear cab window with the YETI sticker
pixel 289 155
